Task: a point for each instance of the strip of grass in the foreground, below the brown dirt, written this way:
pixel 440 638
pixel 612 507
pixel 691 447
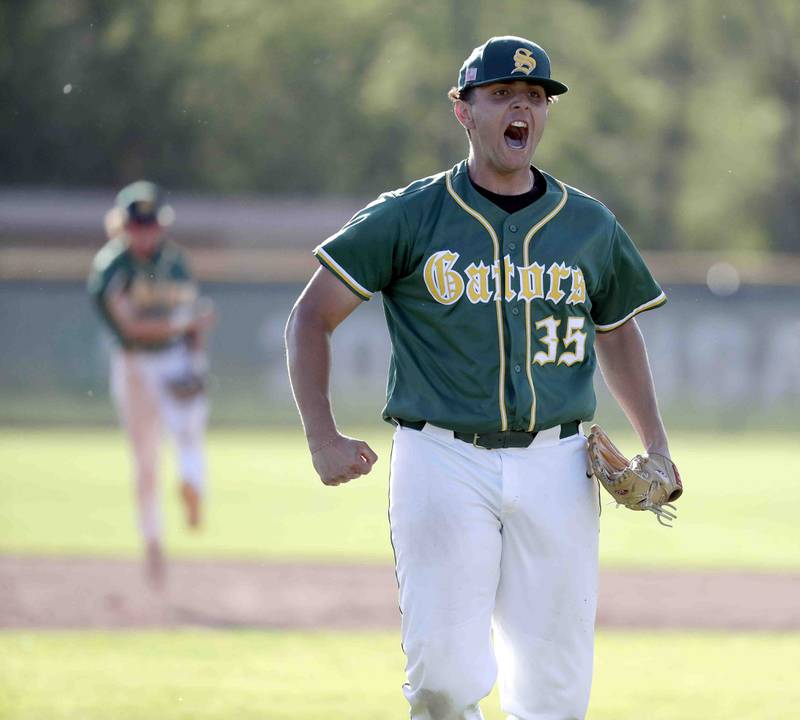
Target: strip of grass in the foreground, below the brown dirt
pixel 192 675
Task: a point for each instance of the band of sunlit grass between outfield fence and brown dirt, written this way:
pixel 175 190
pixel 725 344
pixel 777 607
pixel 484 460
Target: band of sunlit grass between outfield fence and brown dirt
pixel 70 492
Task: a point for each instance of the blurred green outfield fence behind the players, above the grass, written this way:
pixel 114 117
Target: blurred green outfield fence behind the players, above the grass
pixel 730 362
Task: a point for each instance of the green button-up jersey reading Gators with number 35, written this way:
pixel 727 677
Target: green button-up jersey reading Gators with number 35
pixel 492 316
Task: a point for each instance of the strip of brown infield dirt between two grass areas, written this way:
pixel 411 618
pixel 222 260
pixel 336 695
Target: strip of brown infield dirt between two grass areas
pixel 38 592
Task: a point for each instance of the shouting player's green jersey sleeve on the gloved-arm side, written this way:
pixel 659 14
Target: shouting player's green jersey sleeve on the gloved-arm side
pixel 626 287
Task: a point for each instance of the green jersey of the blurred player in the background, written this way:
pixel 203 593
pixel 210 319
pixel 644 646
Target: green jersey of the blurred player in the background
pixel 159 287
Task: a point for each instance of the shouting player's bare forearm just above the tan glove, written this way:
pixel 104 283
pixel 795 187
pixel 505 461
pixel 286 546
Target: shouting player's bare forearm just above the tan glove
pixel 622 356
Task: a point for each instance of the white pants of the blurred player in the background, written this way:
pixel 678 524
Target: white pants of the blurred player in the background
pixel 145 405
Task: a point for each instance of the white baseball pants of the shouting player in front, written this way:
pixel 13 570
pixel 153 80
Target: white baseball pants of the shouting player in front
pixel 495 540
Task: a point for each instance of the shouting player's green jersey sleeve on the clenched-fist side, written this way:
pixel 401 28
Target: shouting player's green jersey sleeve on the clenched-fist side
pixel 369 251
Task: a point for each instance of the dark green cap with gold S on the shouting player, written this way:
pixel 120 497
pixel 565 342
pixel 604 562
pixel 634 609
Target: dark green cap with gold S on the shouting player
pixel 508 58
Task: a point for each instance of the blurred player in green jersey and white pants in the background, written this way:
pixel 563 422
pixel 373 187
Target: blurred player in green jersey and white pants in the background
pixel 146 296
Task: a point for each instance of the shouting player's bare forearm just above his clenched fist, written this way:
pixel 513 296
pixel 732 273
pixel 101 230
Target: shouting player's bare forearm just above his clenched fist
pixel 308 352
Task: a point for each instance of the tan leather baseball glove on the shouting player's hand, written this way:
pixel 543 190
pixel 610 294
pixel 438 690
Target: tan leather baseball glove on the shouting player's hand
pixel 648 482
